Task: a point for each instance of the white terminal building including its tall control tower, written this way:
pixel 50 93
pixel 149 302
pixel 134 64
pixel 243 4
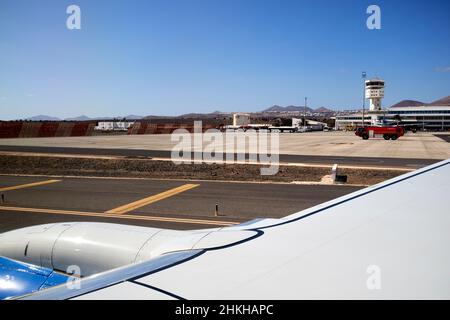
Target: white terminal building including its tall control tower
pixel 424 117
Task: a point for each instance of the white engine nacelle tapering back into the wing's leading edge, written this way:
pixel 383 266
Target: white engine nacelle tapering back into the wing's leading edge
pixel 87 248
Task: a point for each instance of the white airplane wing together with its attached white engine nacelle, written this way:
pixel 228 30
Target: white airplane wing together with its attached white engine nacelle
pixel 388 241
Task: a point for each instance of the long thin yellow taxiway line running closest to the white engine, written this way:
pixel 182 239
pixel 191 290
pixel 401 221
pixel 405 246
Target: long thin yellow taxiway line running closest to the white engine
pixel 123 216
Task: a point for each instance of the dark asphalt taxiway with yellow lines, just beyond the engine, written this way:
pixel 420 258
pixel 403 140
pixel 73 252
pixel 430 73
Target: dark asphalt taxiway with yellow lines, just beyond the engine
pixel 174 204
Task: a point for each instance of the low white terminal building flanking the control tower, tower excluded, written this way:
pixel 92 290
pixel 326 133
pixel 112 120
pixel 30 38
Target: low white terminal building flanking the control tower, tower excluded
pixel 436 118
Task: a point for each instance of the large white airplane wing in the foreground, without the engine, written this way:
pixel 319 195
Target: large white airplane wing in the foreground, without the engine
pixel 388 241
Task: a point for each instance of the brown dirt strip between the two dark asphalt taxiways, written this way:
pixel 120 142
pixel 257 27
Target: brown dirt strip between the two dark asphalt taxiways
pixel 144 168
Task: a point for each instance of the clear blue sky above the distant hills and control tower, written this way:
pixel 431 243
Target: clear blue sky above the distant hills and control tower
pixel 172 57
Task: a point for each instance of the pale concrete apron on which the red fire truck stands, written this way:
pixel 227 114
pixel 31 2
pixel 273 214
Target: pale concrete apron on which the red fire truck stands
pixel 335 144
